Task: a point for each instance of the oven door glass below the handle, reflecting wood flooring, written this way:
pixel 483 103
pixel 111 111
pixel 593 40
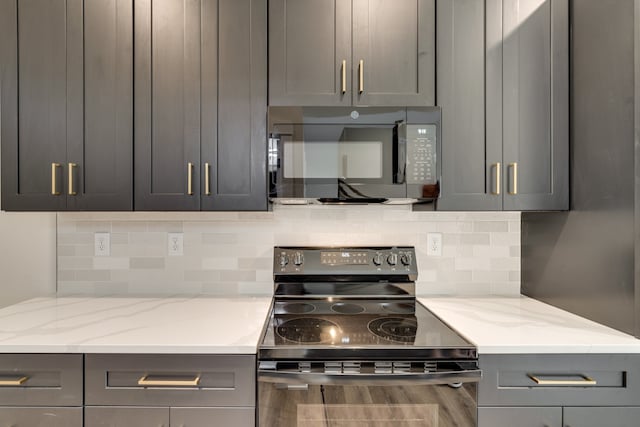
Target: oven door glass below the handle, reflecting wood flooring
pixel 366 406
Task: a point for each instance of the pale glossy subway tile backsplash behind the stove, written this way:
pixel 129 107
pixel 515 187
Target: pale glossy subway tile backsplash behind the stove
pixel 231 252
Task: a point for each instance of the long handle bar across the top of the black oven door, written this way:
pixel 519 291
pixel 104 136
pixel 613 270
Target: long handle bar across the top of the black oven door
pixel 323 378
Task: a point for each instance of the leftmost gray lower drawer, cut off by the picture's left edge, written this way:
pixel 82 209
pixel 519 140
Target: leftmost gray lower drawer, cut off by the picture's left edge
pixel 41 379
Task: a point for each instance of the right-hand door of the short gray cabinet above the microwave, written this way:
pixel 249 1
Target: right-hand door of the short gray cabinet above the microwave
pixel 393 52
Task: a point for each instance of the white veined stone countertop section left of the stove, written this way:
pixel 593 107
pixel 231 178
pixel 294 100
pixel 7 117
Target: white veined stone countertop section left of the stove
pixel 187 325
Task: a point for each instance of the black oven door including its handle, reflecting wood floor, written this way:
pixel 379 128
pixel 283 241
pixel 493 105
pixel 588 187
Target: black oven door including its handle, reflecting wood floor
pixel 287 400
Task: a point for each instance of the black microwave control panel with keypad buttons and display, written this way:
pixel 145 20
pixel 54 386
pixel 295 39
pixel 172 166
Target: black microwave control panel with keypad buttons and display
pixel 421 154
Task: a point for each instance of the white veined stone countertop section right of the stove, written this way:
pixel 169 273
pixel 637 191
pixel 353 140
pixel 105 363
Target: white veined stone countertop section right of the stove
pixel 523 325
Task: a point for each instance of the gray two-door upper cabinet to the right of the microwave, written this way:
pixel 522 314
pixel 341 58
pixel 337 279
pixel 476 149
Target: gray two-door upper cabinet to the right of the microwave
pixel 503 85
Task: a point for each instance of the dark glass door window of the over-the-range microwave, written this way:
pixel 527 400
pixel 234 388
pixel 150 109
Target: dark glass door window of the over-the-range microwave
pixel 337 151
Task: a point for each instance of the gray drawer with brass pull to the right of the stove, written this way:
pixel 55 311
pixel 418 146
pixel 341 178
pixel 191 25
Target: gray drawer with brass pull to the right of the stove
pixel 560 380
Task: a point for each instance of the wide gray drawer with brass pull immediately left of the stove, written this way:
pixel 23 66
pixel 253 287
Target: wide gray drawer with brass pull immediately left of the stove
pixel 169 380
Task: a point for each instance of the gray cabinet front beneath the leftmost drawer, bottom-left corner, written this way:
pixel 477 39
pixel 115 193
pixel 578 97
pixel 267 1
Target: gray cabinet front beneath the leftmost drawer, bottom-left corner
pixel 40 417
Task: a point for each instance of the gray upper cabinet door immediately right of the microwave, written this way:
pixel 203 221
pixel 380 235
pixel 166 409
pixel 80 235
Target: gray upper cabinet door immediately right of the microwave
pixel 469 91
